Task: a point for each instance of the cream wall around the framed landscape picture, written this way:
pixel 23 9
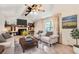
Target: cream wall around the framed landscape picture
pixel 67 10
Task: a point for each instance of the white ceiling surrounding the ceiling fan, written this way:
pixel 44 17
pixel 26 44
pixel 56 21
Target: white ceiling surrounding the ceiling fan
pixel 11 12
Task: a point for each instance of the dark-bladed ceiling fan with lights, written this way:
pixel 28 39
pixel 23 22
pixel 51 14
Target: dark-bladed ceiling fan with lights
pixel 33 8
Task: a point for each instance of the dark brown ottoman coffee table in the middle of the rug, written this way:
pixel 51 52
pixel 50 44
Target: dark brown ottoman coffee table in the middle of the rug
pixel 25 45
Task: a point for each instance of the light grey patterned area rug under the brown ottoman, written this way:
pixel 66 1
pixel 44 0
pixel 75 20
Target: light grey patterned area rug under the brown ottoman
pixel 42 49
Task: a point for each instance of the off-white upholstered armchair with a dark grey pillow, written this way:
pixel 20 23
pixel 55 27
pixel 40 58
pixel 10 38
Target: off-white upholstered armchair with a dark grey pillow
pixel 49 38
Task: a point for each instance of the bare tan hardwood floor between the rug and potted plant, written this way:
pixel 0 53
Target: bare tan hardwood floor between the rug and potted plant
pixel 63 49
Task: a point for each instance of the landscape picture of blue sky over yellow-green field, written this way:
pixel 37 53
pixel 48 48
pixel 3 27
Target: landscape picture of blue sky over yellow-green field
pixel 69 21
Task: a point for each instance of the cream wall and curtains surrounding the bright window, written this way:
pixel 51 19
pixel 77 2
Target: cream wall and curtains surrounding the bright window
pixel 40 25
